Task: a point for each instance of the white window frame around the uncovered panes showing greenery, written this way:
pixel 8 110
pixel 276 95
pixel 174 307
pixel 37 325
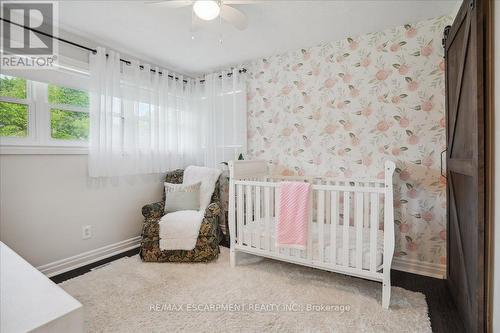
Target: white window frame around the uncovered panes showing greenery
pixel 39 139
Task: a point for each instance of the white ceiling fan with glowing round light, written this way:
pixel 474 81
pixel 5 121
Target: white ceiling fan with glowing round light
pixel 208 10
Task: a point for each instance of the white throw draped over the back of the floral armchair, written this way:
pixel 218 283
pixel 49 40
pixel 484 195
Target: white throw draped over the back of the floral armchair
pixel 208 178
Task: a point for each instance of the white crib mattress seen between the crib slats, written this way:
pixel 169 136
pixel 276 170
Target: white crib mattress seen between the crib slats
pixel 251 230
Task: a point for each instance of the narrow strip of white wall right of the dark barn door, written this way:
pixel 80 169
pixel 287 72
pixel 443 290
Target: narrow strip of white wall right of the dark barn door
pixel 496 243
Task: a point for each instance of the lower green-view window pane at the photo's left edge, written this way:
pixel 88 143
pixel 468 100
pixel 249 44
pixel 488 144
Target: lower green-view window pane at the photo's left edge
pixel 13 119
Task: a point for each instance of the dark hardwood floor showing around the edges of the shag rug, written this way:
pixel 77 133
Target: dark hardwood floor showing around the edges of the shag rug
pixel 442 311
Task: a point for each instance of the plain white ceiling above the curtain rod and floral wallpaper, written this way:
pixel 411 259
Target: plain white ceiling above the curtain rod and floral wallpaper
pixel 162 35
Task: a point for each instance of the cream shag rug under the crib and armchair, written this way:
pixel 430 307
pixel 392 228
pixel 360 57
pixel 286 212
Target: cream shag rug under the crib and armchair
pixel 259 295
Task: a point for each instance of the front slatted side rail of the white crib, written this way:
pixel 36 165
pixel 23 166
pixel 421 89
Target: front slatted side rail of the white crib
pixel 338 210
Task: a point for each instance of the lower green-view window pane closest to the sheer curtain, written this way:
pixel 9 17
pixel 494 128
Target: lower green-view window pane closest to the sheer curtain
pixel 69 125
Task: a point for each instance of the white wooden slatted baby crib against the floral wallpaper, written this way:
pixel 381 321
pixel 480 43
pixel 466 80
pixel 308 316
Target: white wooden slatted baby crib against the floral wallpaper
pixel 363 247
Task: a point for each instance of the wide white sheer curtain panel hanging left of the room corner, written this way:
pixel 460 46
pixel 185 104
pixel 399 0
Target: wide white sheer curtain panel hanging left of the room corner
pixel 140 121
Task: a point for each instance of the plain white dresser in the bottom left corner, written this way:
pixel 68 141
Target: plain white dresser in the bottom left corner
pixel 30 302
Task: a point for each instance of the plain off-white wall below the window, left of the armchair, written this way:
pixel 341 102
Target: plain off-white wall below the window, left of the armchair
pixel 46 199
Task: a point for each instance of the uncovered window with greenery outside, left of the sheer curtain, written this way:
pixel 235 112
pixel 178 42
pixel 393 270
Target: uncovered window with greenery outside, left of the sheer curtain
pixel 38 114
